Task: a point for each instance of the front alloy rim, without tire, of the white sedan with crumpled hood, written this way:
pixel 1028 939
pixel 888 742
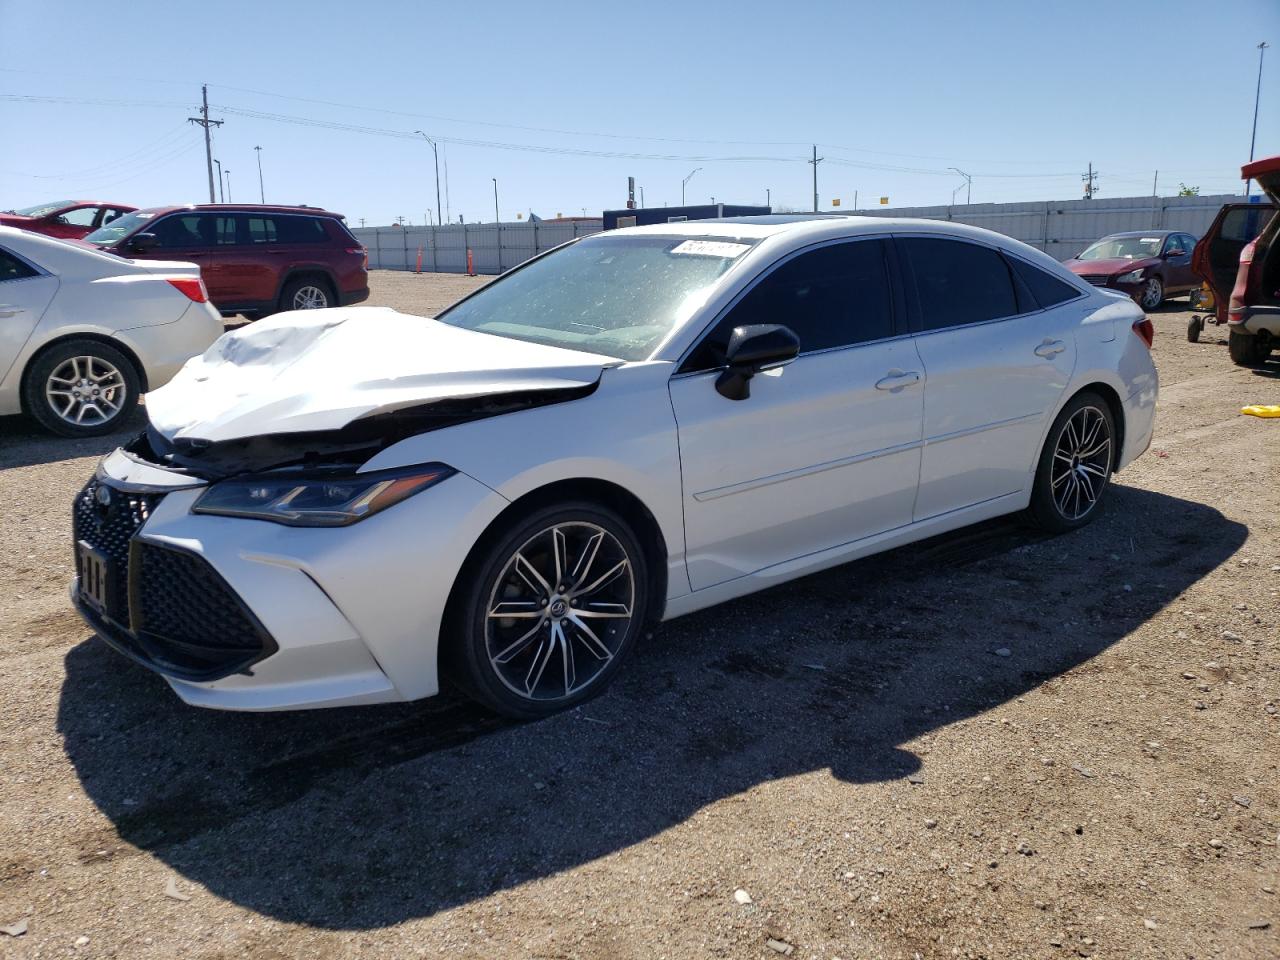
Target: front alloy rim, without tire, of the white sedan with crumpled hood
pixel 560 611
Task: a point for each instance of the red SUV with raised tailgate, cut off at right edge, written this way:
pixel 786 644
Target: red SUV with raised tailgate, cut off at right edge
pixel 1241 260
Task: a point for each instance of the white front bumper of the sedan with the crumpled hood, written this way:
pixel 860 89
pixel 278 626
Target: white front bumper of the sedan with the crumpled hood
pixel 350 616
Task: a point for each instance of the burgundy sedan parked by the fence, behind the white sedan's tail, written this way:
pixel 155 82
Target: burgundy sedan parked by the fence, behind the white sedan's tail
pixel 1149 266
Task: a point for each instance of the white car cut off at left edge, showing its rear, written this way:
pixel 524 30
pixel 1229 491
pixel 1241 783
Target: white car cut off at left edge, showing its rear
pixel 85 333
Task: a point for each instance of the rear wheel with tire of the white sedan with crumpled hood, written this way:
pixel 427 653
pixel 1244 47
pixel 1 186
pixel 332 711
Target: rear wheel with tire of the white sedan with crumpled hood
pixel 1048 510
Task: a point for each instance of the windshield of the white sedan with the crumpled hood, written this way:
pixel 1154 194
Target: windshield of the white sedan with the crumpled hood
pixel 615 296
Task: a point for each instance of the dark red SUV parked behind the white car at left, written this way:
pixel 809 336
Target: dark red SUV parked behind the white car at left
pixel 255 260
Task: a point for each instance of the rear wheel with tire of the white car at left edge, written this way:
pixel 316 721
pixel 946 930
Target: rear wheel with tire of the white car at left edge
pixel 115 401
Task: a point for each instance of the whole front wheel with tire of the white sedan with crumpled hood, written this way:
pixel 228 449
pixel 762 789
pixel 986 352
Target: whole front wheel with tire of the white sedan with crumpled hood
pixel 474 639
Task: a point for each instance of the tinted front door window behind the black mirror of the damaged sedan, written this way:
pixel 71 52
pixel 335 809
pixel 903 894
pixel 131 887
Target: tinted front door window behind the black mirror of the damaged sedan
pixel 834 296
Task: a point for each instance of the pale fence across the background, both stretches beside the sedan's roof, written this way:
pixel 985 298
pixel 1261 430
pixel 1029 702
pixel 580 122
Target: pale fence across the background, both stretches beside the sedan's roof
pixel 1062 228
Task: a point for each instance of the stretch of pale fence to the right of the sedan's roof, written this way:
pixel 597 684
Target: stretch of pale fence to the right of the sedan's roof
pixel 1063 228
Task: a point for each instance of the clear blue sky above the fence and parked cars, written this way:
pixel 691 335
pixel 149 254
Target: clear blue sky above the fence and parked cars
pixel 563 102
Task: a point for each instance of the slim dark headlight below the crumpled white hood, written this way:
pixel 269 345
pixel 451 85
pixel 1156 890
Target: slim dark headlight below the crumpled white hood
pixel 318 500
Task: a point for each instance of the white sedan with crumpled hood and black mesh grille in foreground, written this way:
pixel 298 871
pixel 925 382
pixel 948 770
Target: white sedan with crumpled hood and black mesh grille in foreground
pixel 335 508
